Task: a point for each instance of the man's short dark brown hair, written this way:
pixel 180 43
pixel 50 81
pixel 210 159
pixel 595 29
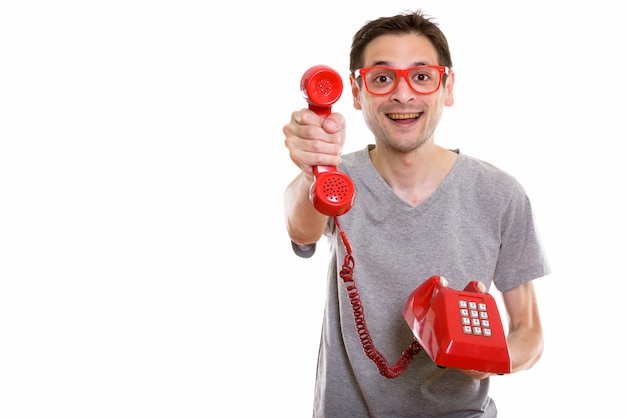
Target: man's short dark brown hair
pixel 410 22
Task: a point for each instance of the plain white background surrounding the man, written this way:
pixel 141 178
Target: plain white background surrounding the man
pixel 144 266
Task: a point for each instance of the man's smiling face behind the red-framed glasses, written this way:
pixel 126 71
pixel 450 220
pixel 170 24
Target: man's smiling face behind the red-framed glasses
pixel 402 120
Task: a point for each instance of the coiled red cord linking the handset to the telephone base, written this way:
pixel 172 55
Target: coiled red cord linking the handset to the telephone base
pixel 346 273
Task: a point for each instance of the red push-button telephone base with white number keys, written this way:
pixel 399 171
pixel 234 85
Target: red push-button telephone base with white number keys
pixel 459 329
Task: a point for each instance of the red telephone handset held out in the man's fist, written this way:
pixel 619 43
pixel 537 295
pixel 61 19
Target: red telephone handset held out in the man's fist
pixel 332 193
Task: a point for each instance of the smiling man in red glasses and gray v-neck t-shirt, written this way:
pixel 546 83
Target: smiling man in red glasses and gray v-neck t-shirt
pixel 420 210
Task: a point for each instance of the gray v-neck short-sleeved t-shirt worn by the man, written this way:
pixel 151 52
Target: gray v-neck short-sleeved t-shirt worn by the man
pixel 477 225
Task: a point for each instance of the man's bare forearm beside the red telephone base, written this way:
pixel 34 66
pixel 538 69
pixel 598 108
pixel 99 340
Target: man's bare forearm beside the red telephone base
pixel 525 337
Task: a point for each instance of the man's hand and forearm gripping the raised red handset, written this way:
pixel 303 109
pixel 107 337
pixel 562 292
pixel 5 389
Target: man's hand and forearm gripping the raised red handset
pixel 311 140
